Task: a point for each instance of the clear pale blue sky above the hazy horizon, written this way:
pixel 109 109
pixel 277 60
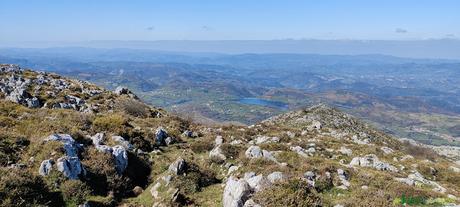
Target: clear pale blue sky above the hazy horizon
pixel 83 20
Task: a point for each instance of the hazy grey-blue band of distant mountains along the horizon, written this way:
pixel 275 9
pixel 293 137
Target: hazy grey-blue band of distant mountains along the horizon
pixel 431 48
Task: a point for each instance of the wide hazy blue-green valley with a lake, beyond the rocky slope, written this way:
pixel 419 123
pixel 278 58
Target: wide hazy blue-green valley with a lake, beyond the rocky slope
pixel 409 98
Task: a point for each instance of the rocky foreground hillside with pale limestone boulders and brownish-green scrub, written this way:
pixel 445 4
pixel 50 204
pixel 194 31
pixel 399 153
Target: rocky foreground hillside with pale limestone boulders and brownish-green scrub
pixel 65 142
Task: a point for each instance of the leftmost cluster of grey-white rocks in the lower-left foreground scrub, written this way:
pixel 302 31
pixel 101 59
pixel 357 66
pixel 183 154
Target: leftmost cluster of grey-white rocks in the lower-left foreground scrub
pixel 69 165
